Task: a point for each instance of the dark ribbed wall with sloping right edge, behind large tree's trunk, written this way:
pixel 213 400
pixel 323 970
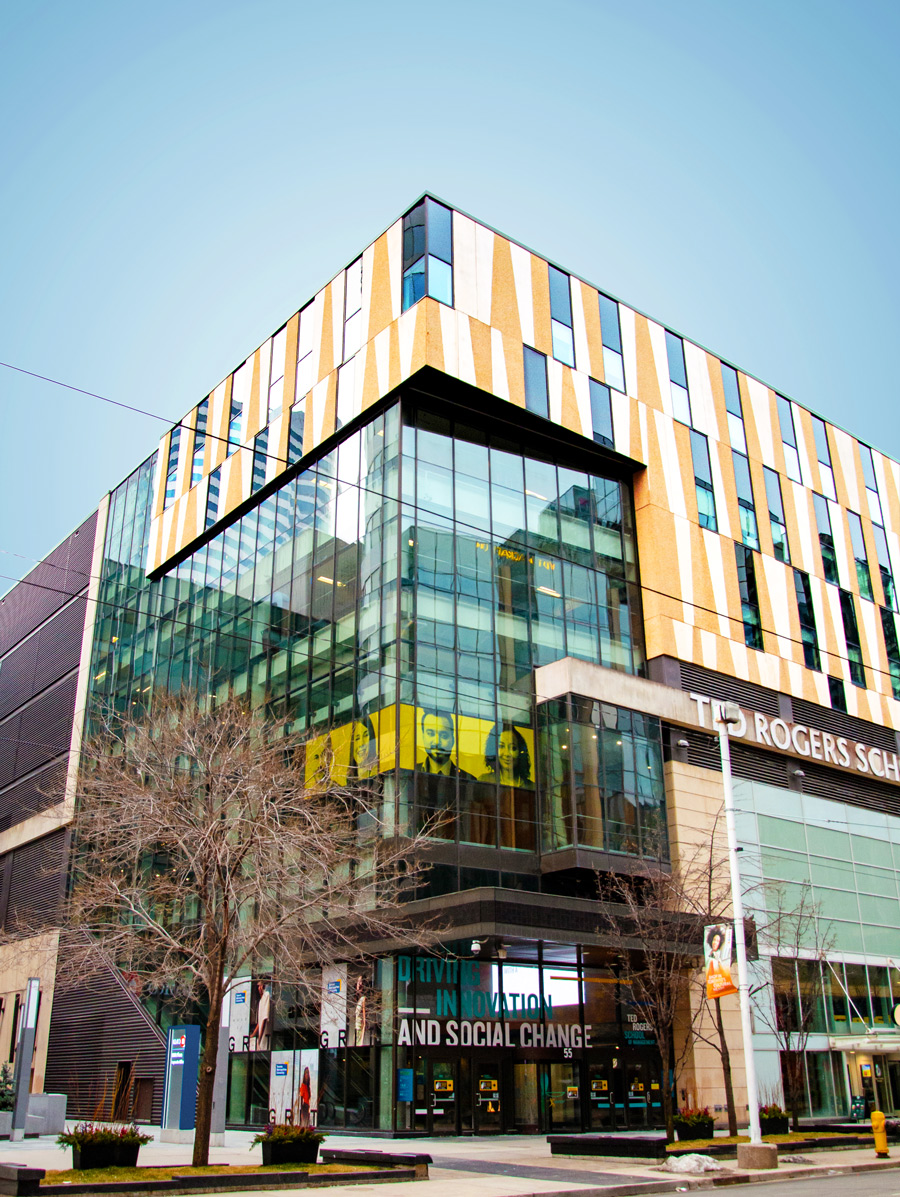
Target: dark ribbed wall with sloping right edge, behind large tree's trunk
pixel 94 1029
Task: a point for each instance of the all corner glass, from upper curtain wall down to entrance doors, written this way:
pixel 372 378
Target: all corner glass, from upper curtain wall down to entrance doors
pixel 396 598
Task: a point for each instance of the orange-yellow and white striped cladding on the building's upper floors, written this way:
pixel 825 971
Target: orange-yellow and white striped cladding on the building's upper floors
pixel 502 301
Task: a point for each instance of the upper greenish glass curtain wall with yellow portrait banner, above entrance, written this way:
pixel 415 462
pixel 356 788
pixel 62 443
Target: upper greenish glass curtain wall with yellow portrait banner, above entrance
pixel 396 598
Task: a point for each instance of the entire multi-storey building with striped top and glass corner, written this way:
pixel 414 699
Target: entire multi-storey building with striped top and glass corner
pixel 448 520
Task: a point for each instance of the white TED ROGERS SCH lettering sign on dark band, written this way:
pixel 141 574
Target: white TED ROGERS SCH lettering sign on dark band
pixel 800 740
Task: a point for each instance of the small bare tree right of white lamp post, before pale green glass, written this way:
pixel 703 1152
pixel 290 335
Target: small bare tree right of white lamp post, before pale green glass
pixel 798 940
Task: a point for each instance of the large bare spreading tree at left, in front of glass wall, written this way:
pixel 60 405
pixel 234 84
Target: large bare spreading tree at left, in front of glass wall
pixel 212 842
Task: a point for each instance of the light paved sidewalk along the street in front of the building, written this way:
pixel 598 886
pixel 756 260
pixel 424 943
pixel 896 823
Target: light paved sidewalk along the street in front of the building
pixel 506 1166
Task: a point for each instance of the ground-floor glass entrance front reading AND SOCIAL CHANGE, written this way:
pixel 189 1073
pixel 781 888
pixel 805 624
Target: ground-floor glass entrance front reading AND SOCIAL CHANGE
pixel 539 1040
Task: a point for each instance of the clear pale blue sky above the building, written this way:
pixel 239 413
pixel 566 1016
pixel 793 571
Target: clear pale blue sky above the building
pixel 179 178
